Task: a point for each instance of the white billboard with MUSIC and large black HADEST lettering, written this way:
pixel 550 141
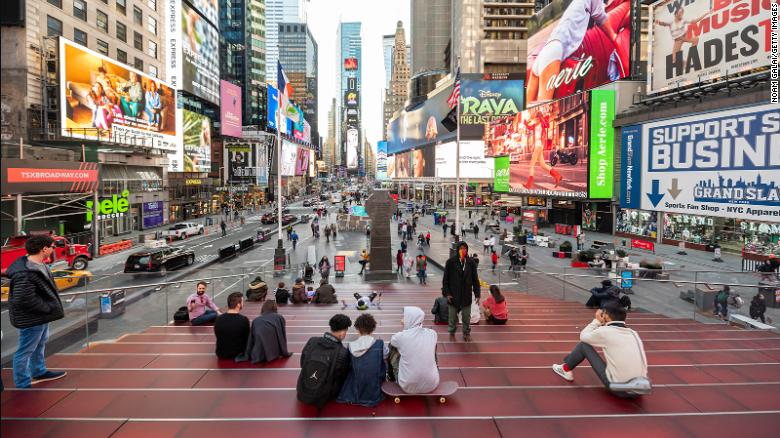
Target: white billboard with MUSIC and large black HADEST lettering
pixel 702 40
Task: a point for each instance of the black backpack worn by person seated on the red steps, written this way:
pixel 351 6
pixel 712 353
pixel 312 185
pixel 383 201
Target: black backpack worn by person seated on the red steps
pixel 315 383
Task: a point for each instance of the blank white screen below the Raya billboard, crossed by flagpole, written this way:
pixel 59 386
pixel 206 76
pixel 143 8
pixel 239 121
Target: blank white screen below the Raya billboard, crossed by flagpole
pixel 473 163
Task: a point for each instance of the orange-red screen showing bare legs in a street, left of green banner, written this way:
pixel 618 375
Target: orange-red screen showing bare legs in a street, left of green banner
pixel 547 146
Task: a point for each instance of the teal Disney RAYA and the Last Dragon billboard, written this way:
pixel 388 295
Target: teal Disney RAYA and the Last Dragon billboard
pixel 487 97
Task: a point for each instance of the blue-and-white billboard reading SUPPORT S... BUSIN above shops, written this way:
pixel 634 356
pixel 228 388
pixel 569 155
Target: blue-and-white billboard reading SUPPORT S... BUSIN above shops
pixel 724 163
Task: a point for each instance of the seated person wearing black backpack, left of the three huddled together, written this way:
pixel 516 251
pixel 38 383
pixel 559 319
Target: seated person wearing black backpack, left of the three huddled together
pixel 325 364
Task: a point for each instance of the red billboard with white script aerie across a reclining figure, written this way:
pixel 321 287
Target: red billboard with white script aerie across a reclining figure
pixel 576 45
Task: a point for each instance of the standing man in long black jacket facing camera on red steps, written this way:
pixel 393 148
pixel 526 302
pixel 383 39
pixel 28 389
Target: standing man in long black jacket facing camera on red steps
pixel 460 280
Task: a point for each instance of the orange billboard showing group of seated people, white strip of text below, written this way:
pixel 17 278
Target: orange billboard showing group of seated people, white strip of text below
pixel 122 104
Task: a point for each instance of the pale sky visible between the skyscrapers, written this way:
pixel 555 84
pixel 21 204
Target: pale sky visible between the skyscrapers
pixel 379 17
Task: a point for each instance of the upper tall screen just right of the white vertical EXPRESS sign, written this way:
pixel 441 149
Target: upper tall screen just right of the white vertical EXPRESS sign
pixel 200 55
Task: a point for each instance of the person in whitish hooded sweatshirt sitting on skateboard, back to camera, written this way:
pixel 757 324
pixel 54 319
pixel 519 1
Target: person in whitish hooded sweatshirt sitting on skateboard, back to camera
pixel 417 370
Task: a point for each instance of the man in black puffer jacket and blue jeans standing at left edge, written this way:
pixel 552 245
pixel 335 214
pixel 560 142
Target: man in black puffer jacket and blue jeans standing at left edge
pixel 34 303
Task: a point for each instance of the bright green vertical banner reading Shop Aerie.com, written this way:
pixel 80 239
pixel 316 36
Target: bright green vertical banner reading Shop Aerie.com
pixel 602 144
